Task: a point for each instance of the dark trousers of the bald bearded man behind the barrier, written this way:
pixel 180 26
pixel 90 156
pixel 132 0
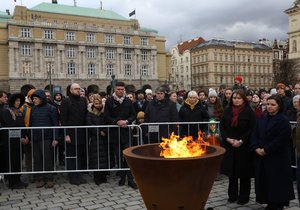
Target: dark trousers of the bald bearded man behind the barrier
pixel 76 158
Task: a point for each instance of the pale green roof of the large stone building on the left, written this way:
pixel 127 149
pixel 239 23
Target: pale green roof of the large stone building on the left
pixel 77 11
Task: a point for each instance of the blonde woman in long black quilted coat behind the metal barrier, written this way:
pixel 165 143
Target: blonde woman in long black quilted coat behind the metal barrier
pixel 98 147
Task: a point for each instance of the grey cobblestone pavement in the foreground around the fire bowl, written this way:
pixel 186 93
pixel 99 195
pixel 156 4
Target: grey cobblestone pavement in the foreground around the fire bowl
pixel 105 196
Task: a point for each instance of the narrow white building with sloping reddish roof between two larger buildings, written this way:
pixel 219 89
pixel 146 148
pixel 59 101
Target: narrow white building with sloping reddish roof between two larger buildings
pixel 180 71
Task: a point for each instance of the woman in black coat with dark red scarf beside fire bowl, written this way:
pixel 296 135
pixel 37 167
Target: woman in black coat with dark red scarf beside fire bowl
pixel 236 126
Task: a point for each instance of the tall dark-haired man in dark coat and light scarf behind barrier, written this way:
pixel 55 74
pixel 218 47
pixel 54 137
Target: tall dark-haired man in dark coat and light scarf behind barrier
pixel 119 111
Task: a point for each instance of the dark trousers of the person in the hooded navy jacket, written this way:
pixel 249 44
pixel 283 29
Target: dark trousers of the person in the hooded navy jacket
pixel 43 159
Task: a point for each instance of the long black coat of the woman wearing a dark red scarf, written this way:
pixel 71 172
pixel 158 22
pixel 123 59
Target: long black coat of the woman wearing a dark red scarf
pixel 237 162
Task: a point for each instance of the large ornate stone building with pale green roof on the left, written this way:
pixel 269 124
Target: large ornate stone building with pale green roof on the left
pixel 59 44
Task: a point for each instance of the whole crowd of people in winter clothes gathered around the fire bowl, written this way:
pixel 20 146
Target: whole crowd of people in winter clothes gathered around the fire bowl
pixel 254 129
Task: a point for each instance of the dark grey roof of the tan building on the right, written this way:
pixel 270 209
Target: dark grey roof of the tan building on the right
pixel 231 44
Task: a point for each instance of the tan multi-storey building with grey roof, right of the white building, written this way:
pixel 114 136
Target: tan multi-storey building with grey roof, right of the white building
pixel 216 62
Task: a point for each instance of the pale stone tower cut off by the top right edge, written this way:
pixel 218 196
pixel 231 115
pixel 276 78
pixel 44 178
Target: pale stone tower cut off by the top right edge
pixel 294 32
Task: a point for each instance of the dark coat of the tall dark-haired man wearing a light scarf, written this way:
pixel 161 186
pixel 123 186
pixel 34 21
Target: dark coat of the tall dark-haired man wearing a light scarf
pixel 115 111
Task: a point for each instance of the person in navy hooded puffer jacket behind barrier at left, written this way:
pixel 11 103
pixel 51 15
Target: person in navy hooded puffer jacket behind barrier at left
pixel 43 114
